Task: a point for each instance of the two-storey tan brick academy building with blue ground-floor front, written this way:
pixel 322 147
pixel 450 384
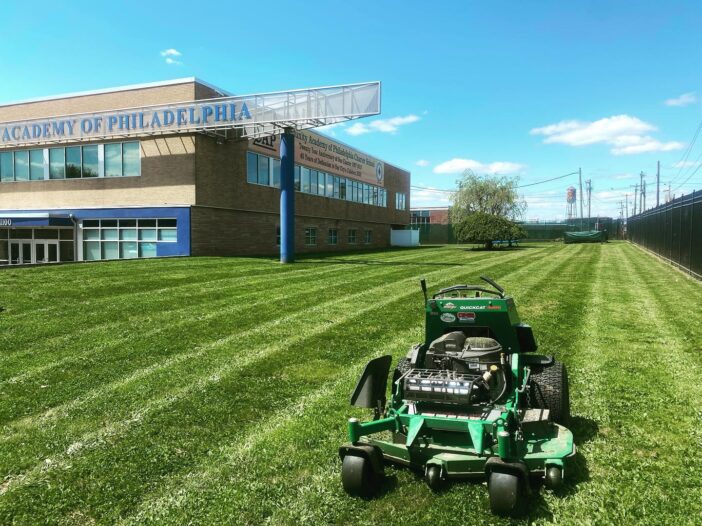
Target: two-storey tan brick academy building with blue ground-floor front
pixel 182 194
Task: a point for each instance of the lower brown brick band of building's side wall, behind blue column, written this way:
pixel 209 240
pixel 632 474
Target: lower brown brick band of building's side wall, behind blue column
pixel 221 232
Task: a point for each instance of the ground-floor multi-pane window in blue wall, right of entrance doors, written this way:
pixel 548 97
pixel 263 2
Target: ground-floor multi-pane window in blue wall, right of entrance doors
pixel 126 238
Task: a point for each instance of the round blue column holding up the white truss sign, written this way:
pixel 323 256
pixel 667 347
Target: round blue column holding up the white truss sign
pixel 287 196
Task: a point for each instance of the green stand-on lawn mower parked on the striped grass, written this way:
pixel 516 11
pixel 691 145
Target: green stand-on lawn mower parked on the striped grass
pixel 473 400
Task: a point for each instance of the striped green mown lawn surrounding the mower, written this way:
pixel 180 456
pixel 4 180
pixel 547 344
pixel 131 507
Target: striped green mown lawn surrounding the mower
pixel 215 390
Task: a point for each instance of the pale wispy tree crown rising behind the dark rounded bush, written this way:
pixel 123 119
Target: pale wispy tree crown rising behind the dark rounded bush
pixel 489 194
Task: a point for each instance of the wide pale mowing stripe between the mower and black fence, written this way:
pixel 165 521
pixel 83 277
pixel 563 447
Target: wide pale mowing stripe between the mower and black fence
pixel 614 365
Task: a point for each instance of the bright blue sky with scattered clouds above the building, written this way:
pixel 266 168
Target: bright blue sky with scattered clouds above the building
pixel 533 89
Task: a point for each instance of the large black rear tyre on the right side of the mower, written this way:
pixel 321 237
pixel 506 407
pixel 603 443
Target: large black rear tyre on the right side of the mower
pixel 548 389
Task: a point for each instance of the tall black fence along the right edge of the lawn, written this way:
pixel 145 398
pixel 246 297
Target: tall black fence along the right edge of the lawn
pixel 673 231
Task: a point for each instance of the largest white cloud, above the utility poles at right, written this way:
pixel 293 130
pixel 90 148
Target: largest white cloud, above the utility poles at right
pixel 625 134
